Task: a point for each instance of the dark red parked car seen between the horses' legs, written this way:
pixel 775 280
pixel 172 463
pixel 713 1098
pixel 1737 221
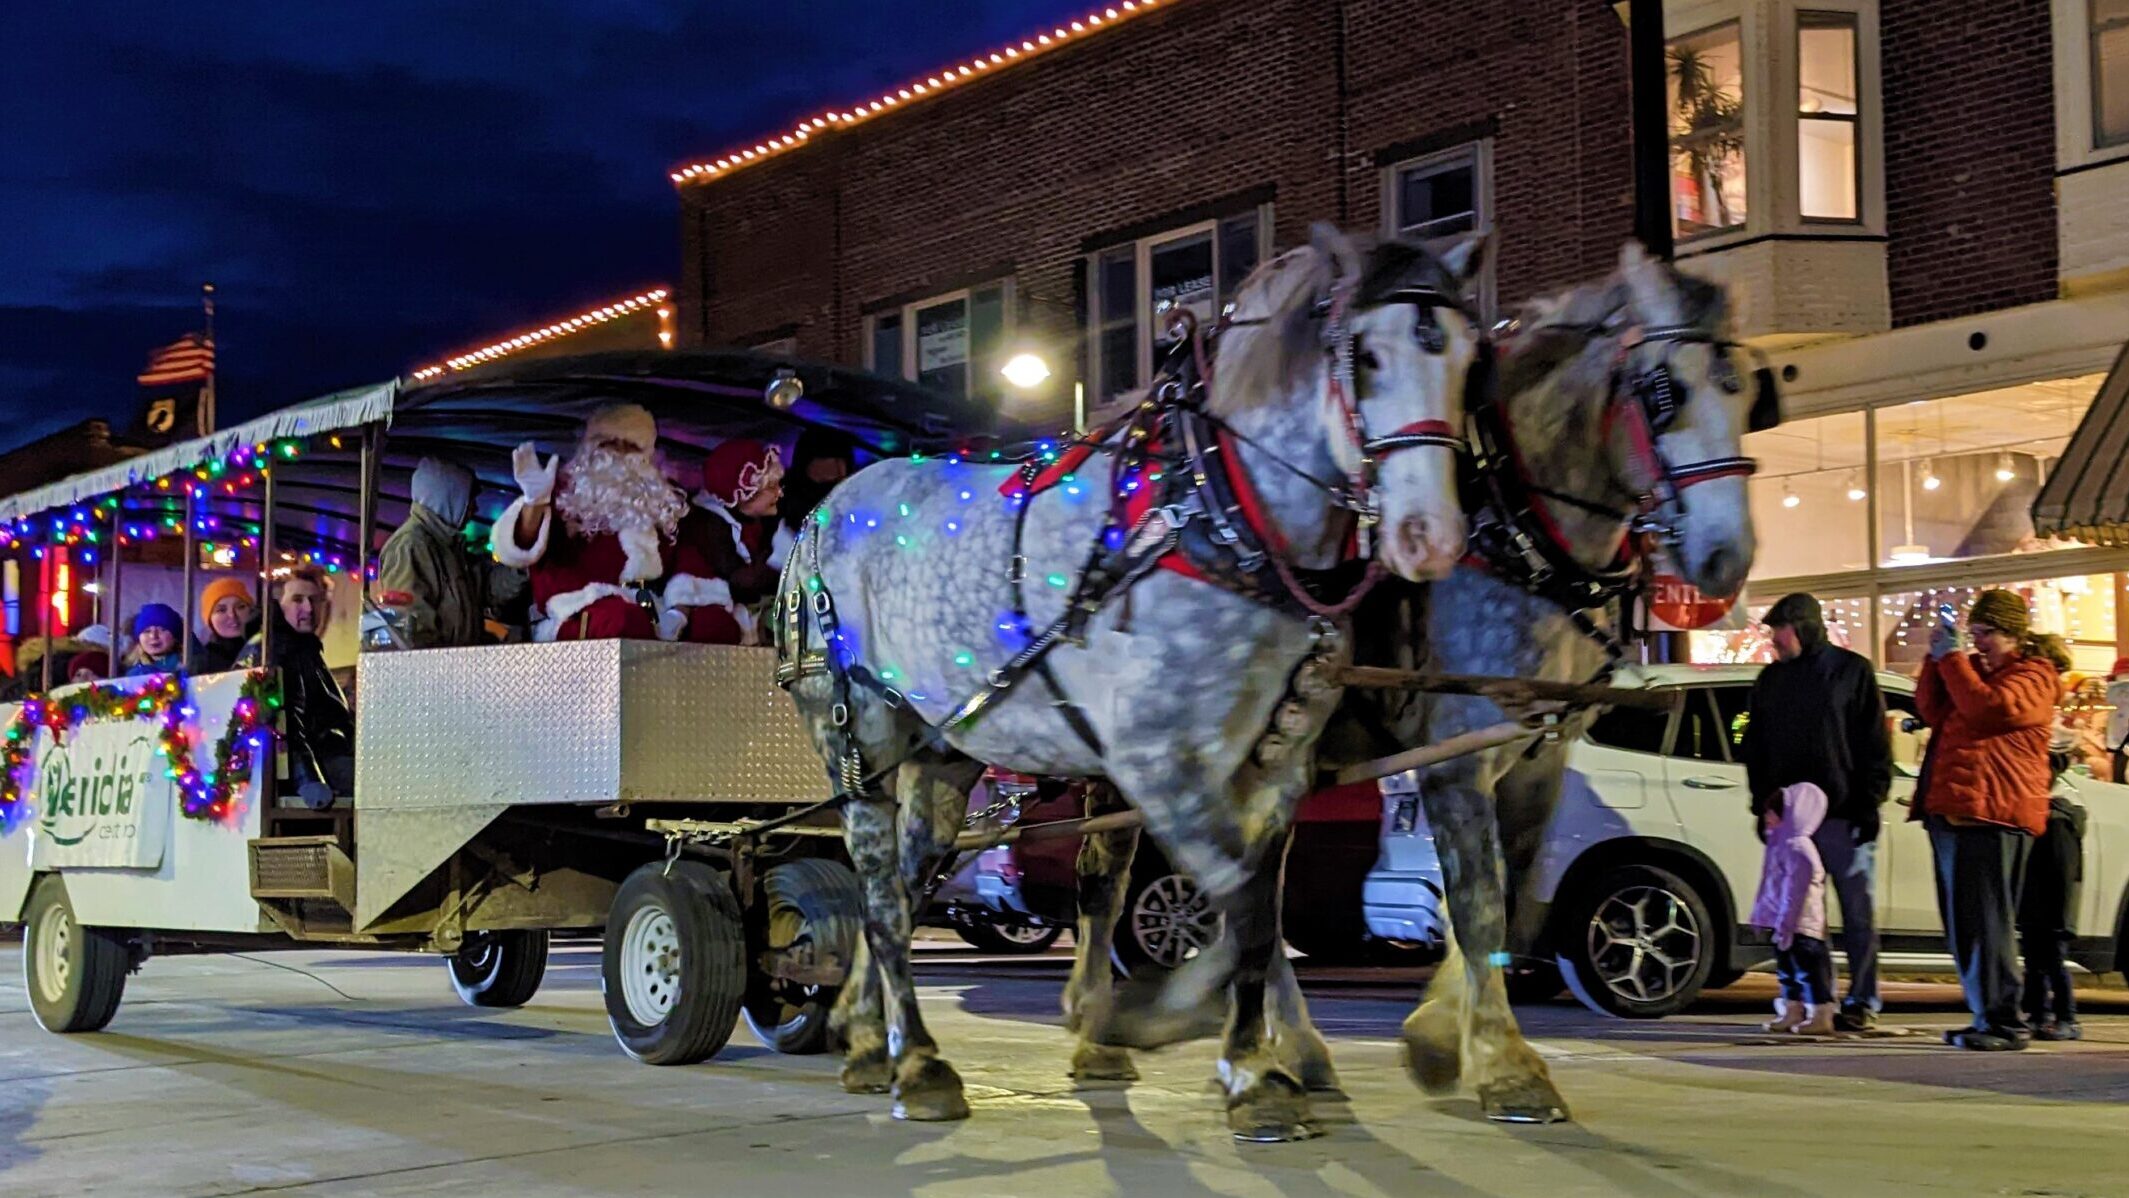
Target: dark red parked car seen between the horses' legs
pixel 1166 918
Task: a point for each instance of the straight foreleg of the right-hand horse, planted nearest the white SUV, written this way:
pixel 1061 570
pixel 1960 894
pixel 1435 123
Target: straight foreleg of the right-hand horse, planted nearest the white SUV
pixel 1511 1078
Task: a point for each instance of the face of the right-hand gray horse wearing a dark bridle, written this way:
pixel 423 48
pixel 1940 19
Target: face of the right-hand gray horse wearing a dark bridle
pixel 1689 410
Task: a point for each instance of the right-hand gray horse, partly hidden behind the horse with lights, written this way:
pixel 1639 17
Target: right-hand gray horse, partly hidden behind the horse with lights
pixel 1562 393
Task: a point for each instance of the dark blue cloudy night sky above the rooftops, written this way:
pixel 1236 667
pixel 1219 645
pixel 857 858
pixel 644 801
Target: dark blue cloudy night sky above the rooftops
pixel 374 184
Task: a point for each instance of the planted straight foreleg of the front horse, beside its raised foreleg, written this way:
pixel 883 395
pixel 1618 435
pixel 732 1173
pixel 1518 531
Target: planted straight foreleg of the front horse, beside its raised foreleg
pixel 1266 1103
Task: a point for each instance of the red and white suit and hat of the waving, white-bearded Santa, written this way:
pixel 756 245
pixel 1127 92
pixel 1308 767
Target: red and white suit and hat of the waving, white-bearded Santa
pixel 587 584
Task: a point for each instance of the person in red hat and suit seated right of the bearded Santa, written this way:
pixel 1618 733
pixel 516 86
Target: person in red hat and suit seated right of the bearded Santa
pixel 727 556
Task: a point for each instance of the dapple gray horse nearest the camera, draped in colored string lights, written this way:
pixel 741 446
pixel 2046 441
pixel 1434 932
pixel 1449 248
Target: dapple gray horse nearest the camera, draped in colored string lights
pixel 910 565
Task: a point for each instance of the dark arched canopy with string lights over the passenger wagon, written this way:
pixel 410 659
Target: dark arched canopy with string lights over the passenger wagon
pixel 476 418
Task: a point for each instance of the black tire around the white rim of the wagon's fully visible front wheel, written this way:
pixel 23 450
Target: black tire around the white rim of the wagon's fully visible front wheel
pixel 712 963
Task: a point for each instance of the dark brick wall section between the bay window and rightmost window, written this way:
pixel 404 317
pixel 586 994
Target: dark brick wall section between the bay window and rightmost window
pixel 1970 156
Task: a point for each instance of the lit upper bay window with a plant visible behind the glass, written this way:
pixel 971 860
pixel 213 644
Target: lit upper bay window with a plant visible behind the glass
pixel 1706 95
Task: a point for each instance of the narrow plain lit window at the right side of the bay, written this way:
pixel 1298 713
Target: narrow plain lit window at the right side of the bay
pixel 1830 148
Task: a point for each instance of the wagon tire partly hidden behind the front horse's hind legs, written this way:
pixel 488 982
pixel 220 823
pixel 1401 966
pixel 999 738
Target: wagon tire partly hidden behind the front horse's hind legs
pixel 821 897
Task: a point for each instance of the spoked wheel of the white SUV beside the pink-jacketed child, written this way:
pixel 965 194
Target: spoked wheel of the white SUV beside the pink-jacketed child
pixel 1638 944
